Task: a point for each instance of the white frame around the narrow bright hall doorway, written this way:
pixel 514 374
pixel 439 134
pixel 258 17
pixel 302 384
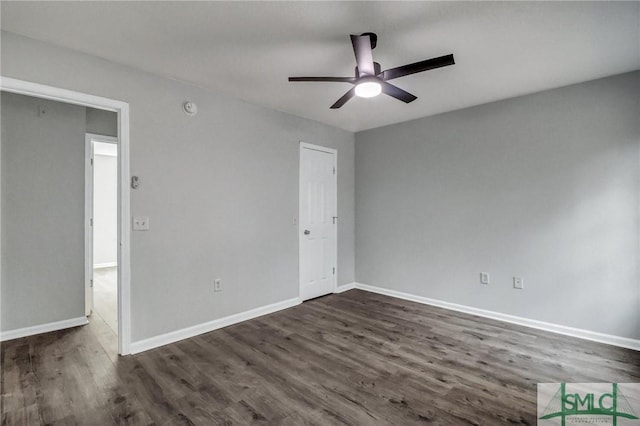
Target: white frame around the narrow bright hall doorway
pixel 89 138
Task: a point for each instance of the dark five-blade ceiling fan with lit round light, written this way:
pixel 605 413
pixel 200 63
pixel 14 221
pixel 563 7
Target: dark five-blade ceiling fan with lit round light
pixel 370 81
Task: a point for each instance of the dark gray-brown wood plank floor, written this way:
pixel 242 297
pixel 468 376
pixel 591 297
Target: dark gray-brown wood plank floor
pixel 353 358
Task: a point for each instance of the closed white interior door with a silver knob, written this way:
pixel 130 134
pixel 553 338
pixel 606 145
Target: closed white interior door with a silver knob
pixel 318 221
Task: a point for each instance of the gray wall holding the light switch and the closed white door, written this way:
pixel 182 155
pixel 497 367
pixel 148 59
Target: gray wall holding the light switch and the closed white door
pixel 220 188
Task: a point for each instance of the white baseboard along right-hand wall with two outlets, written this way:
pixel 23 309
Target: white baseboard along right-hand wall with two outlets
pixel 609 339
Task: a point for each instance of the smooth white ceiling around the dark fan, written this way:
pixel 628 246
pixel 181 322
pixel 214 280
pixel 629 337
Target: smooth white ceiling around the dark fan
pixel 248 49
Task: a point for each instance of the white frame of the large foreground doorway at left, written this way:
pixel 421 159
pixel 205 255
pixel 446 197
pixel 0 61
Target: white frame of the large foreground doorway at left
pixel 124 211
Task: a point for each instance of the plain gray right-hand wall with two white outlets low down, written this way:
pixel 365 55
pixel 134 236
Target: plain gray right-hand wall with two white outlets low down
pixel 544 186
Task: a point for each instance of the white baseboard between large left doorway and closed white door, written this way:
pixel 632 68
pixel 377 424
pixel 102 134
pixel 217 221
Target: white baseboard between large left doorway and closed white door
pixel 185 333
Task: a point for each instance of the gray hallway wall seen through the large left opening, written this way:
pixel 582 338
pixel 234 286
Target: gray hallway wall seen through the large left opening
pixel 42 211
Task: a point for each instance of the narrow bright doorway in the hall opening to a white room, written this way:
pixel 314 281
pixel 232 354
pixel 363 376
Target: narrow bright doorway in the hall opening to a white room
pixel 101 240
